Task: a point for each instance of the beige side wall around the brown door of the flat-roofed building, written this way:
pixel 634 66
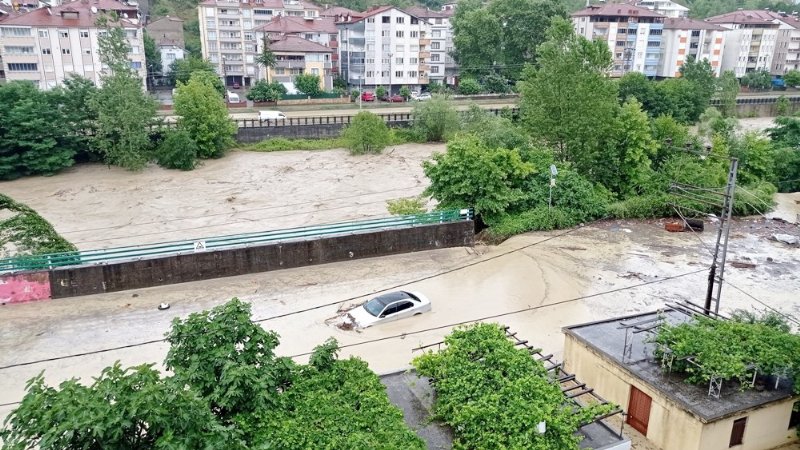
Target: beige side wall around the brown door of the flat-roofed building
pixel 670 427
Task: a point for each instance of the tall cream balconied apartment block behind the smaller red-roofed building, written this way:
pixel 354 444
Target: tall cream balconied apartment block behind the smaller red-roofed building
pixel 227 33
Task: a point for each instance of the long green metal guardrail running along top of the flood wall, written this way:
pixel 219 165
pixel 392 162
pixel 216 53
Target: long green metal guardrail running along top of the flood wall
pixel 120 254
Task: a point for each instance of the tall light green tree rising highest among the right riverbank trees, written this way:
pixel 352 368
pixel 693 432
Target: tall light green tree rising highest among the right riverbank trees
pixel 568 102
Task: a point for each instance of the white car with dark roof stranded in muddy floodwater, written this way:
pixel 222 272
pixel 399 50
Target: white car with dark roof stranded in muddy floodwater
pixel 389 307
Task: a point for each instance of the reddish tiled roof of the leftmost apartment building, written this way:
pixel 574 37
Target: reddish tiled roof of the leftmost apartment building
pixel 52 17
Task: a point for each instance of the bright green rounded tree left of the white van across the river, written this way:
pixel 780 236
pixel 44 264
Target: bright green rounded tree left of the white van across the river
pixel 204 116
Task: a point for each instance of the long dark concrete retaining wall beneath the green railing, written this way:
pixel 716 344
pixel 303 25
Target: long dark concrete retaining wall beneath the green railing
pixel 86 280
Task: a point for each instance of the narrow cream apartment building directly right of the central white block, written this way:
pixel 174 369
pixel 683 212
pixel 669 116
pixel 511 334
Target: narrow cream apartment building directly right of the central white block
pixel 443 67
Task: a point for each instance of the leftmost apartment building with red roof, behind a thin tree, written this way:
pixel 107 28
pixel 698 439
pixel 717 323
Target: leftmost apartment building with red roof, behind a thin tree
pixel 45 45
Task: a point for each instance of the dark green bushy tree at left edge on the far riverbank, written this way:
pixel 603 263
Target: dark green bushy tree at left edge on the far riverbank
pixel 36 132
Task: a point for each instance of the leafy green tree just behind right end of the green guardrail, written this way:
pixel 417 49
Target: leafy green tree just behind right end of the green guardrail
pixel 472 174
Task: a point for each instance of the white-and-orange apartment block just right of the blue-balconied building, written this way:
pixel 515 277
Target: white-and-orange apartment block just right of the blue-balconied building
pixel 684 37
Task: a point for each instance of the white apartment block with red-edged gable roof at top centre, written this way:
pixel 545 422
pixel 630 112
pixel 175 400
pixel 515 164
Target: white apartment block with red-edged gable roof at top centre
pixel 386 47
